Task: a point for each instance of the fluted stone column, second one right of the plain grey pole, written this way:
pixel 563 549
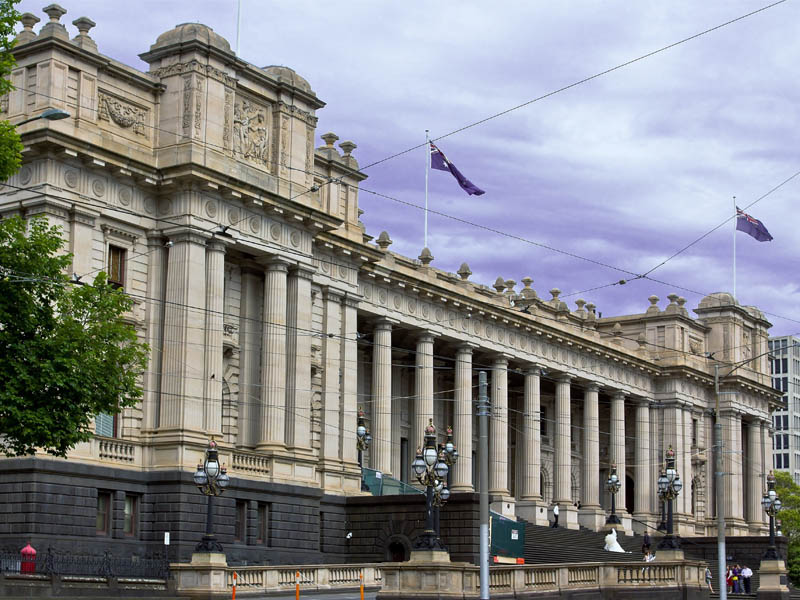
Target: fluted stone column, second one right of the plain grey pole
pixel 530 448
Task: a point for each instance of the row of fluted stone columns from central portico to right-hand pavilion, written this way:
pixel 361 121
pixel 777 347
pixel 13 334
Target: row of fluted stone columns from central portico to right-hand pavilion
pixel 649 429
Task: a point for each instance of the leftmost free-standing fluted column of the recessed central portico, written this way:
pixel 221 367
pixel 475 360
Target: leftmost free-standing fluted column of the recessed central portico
pixel 381 451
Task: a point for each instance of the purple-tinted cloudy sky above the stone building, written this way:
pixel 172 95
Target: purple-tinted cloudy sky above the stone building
pixel 624 170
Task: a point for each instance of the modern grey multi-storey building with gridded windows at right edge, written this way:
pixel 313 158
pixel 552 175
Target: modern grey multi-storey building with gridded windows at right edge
pixel 785 367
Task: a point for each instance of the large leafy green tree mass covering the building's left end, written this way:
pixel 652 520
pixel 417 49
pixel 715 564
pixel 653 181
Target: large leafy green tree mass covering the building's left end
pixel 67 355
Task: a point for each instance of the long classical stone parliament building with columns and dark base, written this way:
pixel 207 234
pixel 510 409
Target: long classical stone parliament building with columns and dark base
pixel 272 316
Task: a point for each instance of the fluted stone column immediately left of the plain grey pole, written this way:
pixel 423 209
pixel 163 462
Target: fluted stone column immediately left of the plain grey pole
pixel 462 426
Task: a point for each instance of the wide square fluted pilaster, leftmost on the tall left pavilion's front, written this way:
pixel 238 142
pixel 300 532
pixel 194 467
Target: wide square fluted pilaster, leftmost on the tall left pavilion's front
pixel 182 391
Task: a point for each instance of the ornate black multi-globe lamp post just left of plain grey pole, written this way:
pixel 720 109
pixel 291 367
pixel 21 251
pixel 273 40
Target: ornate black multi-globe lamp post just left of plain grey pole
pixel 431 469
